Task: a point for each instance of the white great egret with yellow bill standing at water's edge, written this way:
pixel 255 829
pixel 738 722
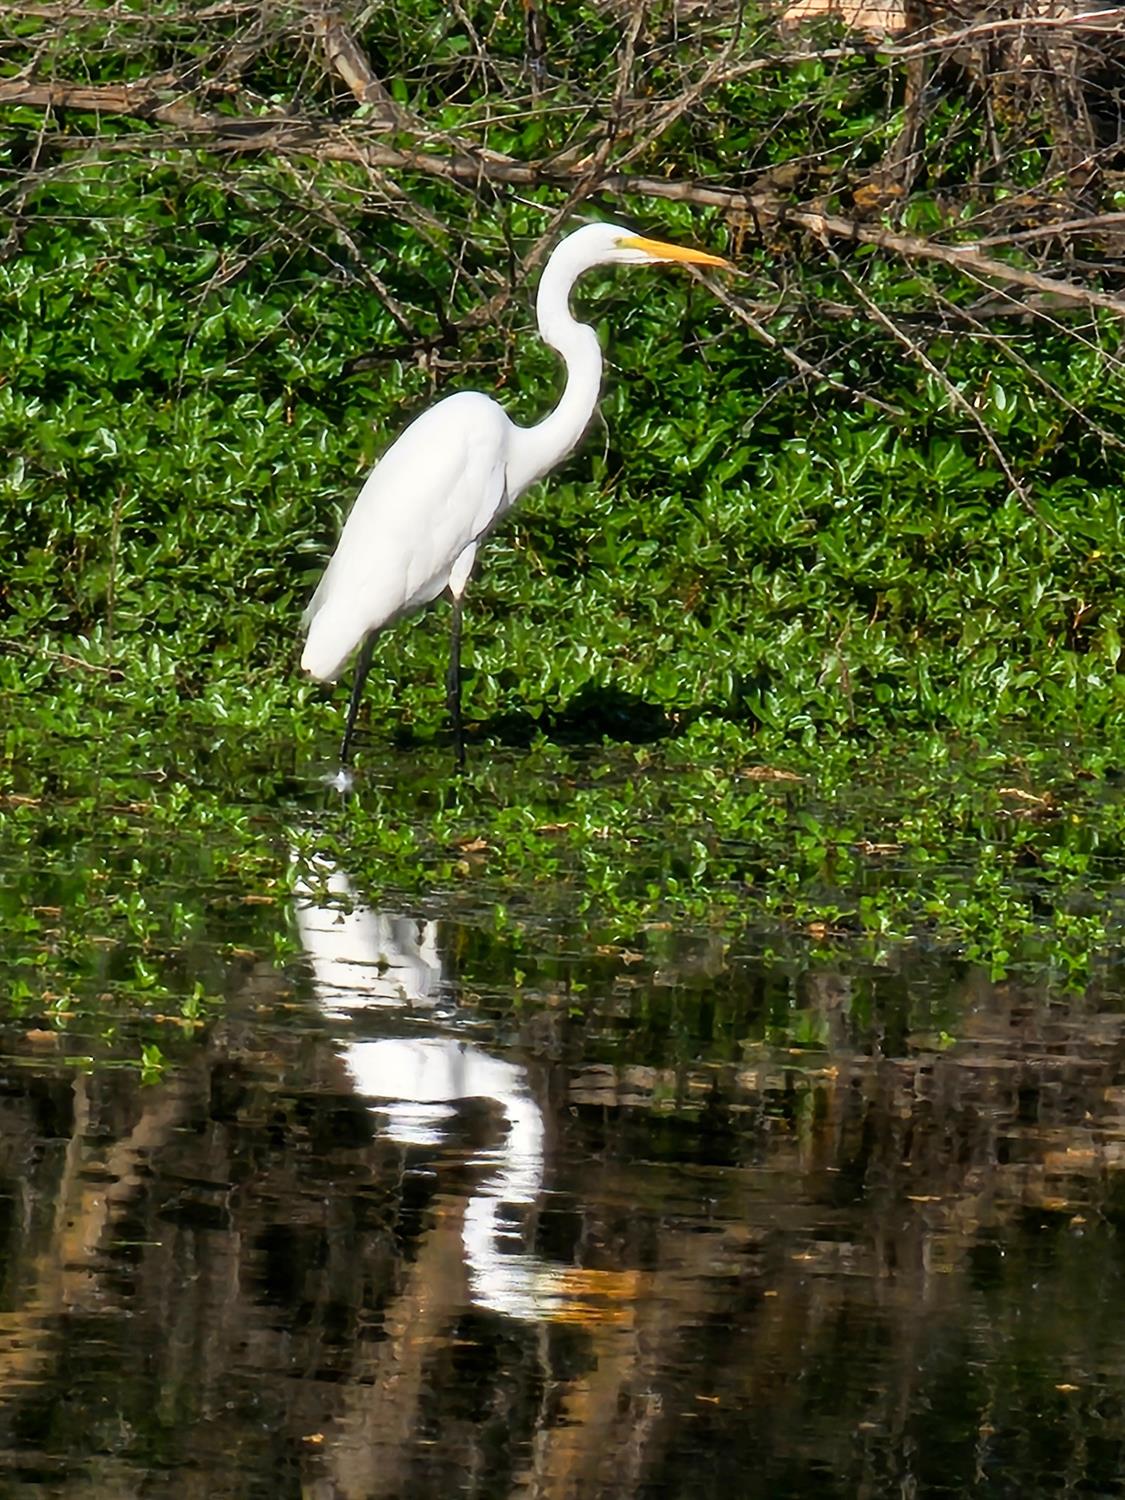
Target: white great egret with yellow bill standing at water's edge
pixel 446 482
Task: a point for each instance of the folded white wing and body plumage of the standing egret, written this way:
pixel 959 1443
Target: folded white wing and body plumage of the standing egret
pixel 434 493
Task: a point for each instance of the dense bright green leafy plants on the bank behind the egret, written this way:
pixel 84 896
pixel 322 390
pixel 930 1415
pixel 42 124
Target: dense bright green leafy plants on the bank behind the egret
pixel 179 455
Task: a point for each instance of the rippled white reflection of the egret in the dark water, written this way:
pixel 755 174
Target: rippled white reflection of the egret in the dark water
pixel 365 958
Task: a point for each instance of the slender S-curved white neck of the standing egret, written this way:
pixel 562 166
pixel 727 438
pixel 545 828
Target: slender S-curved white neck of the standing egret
pixel 541 448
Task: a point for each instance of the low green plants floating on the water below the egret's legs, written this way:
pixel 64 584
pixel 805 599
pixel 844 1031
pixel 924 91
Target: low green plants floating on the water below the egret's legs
pixel 140 878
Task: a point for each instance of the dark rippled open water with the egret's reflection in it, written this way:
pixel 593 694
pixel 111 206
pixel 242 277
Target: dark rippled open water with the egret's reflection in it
pixel 427 1214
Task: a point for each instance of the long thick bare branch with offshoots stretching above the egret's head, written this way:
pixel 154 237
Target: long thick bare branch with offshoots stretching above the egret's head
pixel 166 101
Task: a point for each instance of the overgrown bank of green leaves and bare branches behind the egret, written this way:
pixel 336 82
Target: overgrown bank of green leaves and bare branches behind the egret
pixel 865 497
